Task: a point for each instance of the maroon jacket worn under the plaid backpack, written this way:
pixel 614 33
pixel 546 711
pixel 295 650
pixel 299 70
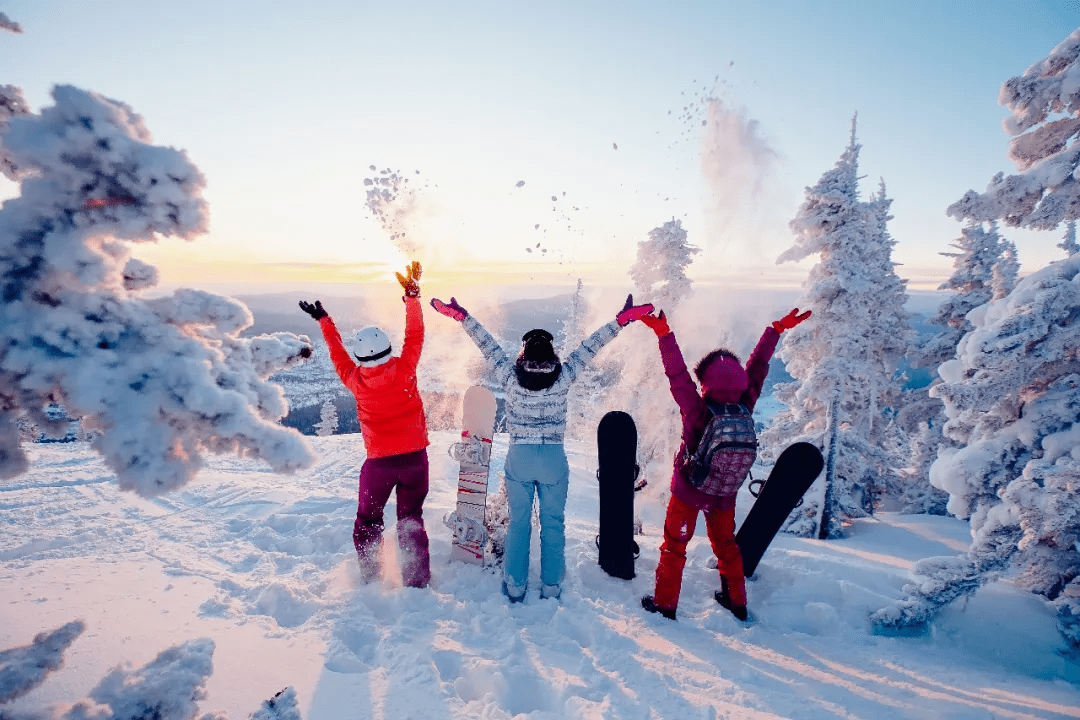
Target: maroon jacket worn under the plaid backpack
pixel 695 414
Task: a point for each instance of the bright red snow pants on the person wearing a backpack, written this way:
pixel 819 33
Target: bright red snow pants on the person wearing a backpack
pixel 679 528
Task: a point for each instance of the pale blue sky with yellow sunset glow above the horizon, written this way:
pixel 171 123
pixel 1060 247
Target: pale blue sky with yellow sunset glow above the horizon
pixel 286 106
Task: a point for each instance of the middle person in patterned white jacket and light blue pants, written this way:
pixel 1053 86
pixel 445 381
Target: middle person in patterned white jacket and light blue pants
pixel 536 386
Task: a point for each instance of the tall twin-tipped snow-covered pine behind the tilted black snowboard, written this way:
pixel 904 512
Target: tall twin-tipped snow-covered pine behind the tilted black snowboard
pixel 849 350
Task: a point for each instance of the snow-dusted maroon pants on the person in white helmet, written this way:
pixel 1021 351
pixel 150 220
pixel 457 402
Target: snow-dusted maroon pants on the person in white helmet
pixel 408 473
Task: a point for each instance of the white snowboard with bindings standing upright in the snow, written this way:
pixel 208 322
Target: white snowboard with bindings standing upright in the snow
pixel 474 455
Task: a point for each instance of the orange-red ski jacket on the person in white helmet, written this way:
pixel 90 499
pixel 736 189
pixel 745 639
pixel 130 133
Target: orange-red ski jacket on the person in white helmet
pixel 388 402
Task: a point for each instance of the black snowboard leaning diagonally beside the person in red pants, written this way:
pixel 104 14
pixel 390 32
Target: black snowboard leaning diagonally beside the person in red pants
pixel 796 470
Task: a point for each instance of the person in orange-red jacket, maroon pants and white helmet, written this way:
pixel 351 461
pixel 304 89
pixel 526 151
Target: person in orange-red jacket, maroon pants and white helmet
pixel 395 430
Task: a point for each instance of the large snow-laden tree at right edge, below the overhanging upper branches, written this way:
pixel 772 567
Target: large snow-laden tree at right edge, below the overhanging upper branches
pixel 1012 397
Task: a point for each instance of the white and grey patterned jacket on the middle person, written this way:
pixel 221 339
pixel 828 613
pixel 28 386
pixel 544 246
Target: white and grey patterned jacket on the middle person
pixel 537 417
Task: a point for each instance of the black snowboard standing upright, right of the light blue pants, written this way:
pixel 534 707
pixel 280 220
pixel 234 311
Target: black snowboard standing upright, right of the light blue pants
pixel 617 443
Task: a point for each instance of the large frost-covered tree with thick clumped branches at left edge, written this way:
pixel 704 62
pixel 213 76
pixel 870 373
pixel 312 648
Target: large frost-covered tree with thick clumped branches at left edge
pixel 160 381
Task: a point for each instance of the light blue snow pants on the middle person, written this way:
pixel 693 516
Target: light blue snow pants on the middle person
pixel 543 469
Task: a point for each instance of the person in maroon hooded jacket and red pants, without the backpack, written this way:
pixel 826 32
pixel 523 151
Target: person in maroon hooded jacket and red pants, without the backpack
pixel 723 381
